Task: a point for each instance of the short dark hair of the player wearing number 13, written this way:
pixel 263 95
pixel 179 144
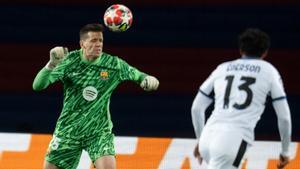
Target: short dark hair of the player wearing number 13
pixel 254 42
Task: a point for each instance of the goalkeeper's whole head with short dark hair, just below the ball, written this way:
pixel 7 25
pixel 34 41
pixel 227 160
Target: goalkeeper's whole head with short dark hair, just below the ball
pixel 91 41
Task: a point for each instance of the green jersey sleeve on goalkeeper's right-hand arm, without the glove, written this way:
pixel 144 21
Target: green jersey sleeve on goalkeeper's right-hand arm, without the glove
pixel 128 72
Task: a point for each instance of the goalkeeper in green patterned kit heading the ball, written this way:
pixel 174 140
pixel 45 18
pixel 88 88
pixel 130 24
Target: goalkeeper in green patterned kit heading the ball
pixel 89 77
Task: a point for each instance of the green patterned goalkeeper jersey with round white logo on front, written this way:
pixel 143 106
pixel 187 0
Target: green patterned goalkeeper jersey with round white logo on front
pixel 87 90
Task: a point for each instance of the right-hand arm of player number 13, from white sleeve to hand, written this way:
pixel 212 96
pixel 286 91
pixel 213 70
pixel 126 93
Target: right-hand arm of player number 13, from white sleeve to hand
pixel 282 110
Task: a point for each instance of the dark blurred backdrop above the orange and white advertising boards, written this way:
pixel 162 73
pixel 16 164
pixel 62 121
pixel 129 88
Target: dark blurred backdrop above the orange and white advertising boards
pixel 180 42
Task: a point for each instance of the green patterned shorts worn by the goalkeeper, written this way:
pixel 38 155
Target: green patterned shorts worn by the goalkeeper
pixel 65 152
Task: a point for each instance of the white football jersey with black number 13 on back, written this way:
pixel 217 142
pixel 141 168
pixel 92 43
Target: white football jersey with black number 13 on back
pixel 241 87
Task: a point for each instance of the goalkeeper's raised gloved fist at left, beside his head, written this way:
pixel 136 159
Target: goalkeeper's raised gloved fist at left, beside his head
pixel 57 54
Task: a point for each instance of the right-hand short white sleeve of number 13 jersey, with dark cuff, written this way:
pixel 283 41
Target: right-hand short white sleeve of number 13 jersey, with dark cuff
pixel 277 89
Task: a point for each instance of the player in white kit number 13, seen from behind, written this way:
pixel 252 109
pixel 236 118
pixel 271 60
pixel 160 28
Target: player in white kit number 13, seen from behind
pixel 240 89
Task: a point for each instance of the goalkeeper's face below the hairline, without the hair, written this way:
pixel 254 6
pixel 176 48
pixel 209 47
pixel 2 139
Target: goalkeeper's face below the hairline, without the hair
pixel 92 45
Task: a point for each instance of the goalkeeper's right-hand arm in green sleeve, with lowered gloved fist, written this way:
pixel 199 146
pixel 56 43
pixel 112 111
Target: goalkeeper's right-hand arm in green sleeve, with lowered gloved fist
pixel 147 82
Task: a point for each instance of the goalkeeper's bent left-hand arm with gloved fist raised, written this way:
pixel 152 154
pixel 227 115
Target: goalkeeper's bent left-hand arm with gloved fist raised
pixel 43 79
